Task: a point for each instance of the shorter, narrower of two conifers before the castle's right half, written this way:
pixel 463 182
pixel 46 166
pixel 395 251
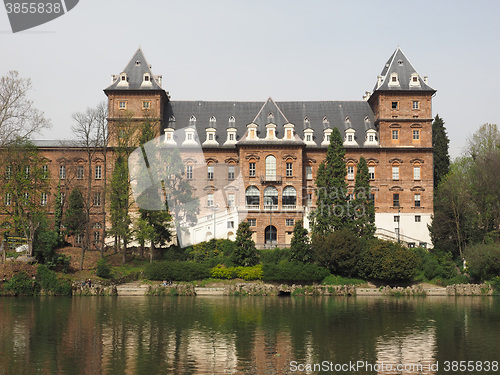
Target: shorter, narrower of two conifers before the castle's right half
pixel 362 206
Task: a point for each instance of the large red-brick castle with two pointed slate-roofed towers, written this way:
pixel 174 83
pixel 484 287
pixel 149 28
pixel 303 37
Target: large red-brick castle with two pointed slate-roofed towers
pixel 273 149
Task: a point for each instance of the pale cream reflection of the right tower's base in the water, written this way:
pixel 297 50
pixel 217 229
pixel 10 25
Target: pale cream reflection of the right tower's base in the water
pixel 416 351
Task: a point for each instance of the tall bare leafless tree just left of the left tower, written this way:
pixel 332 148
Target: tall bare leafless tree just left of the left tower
pixel 88 130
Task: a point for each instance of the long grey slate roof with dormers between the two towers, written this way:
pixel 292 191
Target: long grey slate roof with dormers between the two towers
pixel 358 113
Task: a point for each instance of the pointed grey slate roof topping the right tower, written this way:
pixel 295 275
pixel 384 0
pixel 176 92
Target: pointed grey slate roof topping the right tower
pixel 399 75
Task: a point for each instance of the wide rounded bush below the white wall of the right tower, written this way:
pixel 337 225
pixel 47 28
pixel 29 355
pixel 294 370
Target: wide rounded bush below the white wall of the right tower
pixel 388 261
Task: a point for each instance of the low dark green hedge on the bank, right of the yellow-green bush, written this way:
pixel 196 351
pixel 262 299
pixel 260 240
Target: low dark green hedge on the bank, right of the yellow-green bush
pixel 293 271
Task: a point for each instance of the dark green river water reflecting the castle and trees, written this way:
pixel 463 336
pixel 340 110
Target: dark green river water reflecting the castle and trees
pixel 241 335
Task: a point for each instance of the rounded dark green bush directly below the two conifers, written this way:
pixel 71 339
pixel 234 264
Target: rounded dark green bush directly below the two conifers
pixel 339 252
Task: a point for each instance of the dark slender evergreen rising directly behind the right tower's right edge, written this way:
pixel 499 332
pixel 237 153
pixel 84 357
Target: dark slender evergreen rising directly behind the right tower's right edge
pixel 440 144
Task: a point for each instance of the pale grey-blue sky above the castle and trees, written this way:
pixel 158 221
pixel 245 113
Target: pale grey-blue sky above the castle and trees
pixel 250 50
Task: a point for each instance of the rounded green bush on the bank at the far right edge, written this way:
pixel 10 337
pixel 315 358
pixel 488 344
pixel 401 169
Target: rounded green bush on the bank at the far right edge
pixel 483 261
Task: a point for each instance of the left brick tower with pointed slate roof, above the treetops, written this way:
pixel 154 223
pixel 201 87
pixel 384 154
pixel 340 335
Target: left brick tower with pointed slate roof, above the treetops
pixel 135 97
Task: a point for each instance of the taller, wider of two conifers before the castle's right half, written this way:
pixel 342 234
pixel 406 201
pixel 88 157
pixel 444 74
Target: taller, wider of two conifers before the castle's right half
pixel 332 211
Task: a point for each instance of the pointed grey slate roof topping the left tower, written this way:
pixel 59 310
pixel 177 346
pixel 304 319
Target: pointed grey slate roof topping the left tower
pixel 135 71
